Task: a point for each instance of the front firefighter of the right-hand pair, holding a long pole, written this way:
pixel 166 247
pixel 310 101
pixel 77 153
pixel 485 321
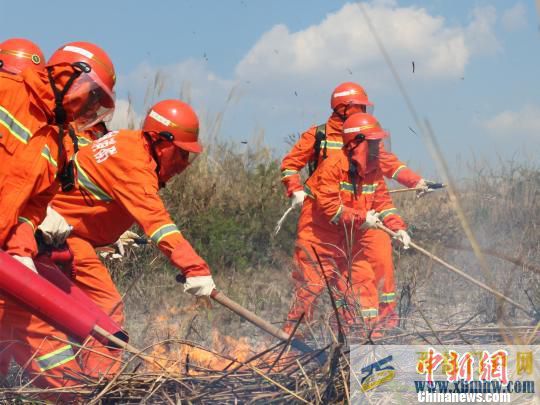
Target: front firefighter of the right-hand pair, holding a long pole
pixel 346 198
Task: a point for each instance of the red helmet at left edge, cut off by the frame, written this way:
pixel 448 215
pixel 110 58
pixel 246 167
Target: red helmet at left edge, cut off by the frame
pixel 17 54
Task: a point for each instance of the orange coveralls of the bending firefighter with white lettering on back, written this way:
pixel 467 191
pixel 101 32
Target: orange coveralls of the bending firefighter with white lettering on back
pixel 118 187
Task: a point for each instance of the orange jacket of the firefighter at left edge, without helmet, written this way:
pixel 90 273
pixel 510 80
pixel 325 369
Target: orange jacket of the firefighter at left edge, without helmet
pixel 28 147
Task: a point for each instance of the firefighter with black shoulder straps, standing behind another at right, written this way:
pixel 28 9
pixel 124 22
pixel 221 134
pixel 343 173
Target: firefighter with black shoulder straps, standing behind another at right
pixel 323 141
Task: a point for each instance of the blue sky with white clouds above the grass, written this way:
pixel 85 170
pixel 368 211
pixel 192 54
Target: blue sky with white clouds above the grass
pixel 476 63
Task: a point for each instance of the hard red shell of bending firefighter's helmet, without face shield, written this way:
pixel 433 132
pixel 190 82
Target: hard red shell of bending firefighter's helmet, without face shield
pixel 179 120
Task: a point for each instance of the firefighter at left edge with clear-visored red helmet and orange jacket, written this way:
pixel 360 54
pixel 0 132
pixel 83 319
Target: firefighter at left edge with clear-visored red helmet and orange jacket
pixel 36 107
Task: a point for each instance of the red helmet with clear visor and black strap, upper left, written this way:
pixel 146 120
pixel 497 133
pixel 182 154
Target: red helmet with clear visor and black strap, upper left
pixel 91 97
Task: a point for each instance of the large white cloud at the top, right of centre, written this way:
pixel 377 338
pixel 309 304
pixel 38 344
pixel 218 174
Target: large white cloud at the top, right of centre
pixel 343 41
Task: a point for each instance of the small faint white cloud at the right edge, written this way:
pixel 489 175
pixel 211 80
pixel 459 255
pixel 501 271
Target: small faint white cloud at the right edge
pixel 522 122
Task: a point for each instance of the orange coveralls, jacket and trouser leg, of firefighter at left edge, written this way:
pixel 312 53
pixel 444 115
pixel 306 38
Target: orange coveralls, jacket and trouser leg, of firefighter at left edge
pixel 29 156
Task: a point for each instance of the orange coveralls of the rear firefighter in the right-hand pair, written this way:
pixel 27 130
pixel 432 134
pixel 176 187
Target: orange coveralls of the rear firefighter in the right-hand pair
pixel 377 248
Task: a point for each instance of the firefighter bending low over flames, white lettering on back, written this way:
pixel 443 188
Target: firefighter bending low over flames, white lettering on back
pixel 119 176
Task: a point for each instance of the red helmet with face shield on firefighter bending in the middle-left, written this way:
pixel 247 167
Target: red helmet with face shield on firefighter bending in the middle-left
pixel 173 127
